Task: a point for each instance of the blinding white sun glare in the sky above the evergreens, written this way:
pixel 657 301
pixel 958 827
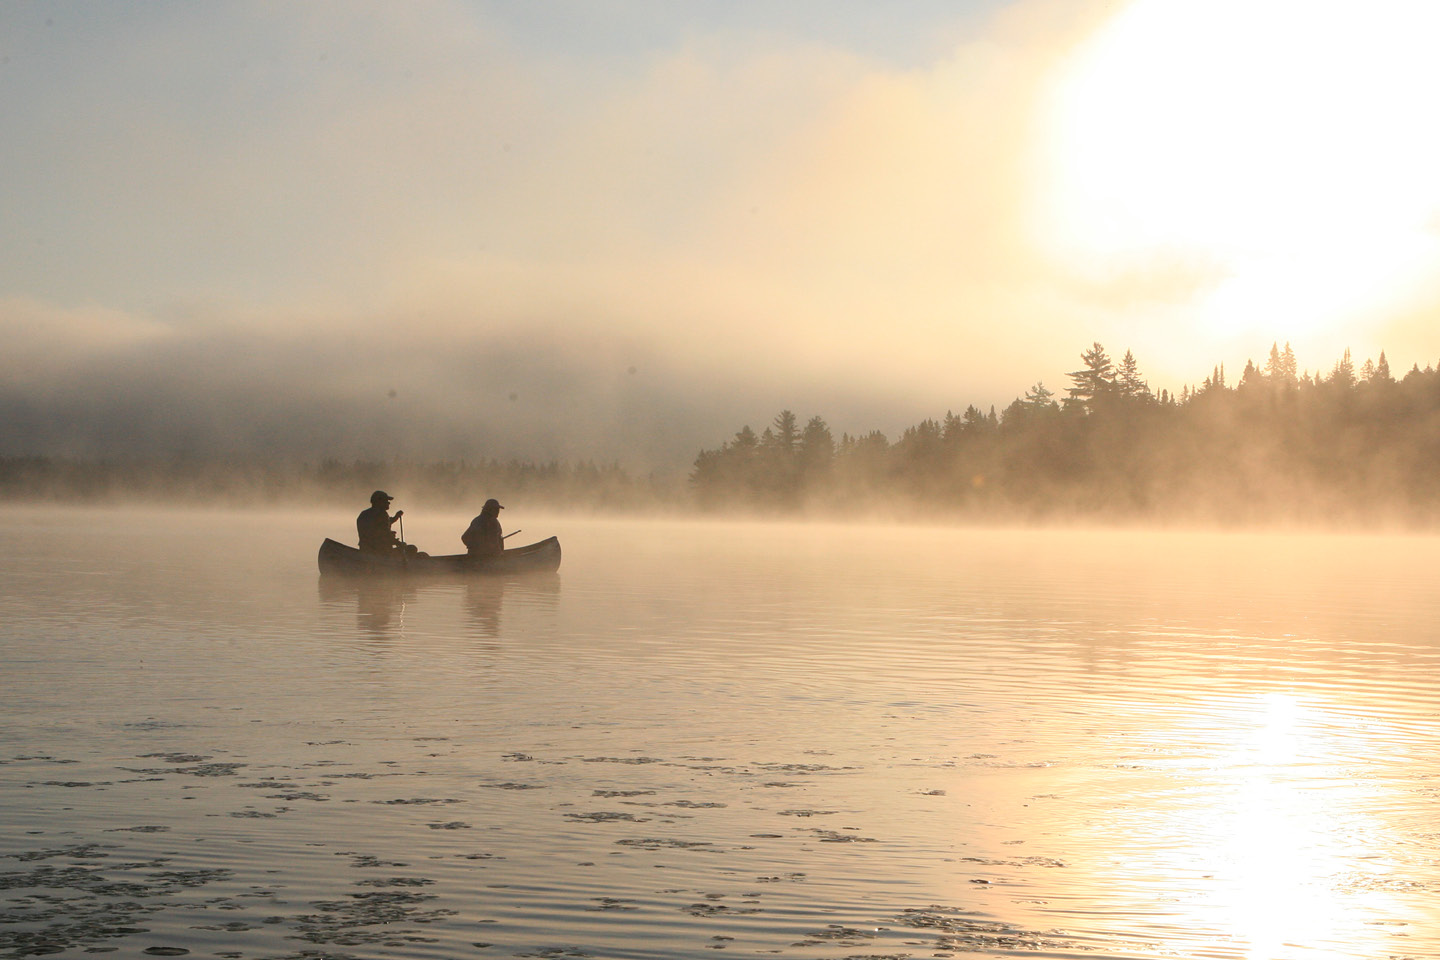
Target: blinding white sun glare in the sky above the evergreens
pixel 1274 158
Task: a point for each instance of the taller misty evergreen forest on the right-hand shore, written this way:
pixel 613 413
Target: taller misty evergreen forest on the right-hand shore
pixel 1277 447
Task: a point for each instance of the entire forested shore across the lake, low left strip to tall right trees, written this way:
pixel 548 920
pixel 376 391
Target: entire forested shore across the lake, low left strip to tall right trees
pixel 1351 447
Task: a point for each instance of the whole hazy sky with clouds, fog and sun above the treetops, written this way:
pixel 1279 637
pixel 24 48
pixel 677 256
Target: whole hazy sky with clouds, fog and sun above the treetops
pixel 623 230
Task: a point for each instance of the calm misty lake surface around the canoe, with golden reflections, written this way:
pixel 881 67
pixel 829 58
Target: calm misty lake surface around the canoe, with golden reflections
pixel 703 739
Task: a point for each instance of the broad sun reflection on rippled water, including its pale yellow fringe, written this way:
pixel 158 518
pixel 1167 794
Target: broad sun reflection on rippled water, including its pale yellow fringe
pixel 1266 815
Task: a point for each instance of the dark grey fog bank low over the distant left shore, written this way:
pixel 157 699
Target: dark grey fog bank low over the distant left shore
pixel 89 384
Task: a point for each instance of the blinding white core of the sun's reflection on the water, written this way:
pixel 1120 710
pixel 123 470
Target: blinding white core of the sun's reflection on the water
pixel 1292 844
